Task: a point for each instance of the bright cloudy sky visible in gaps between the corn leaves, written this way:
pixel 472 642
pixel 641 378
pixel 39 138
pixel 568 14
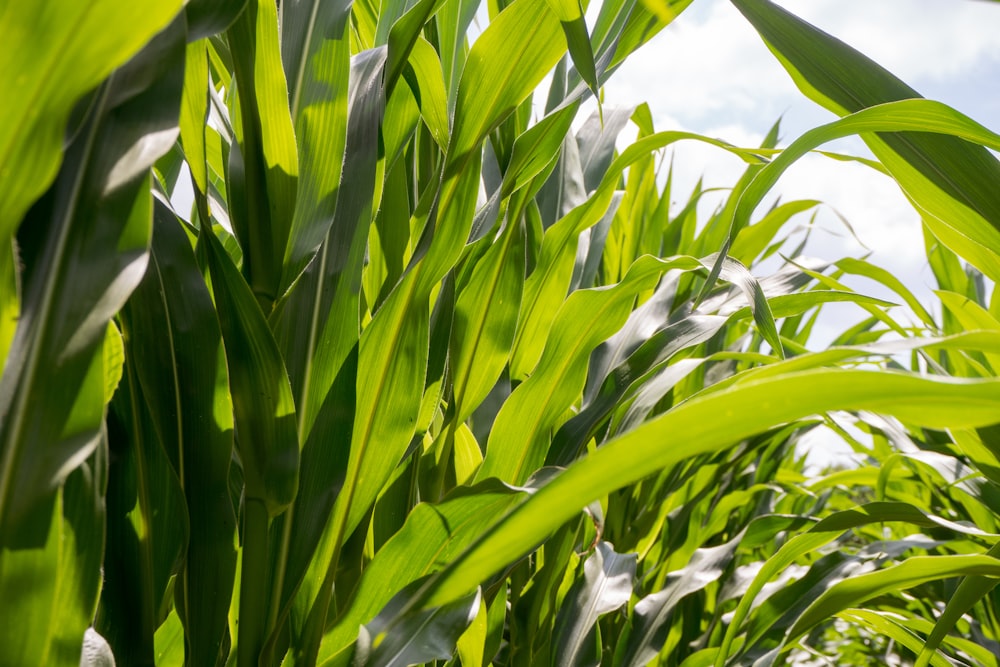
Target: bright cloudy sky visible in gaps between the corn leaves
pixel 710 73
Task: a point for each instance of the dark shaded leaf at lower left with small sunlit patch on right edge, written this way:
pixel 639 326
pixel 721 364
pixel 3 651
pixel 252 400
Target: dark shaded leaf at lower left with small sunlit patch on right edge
pixel 178 355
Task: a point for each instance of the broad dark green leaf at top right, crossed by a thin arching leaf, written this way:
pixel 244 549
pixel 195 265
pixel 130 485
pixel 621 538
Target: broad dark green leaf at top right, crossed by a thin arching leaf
pixel 951 182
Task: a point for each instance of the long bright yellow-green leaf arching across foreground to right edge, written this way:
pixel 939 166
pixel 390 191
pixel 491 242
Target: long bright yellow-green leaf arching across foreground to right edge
pixel 695 427
